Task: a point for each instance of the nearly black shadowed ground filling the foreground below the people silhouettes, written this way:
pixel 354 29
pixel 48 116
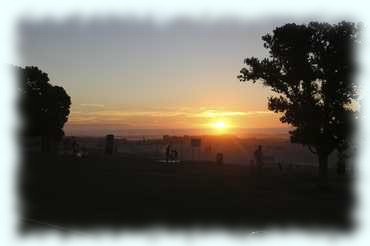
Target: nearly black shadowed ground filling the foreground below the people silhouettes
pixel 131 192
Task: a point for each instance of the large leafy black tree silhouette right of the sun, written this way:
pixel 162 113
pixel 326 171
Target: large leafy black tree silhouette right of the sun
pixel 310 69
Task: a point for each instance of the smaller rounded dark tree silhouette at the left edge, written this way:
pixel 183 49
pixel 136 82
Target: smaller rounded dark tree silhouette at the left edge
pixel 44 107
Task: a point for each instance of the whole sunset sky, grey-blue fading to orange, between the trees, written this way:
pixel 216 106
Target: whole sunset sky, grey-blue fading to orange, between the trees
pixel 136 74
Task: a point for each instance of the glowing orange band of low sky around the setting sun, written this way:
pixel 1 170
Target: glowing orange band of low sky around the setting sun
pixel 99 117
